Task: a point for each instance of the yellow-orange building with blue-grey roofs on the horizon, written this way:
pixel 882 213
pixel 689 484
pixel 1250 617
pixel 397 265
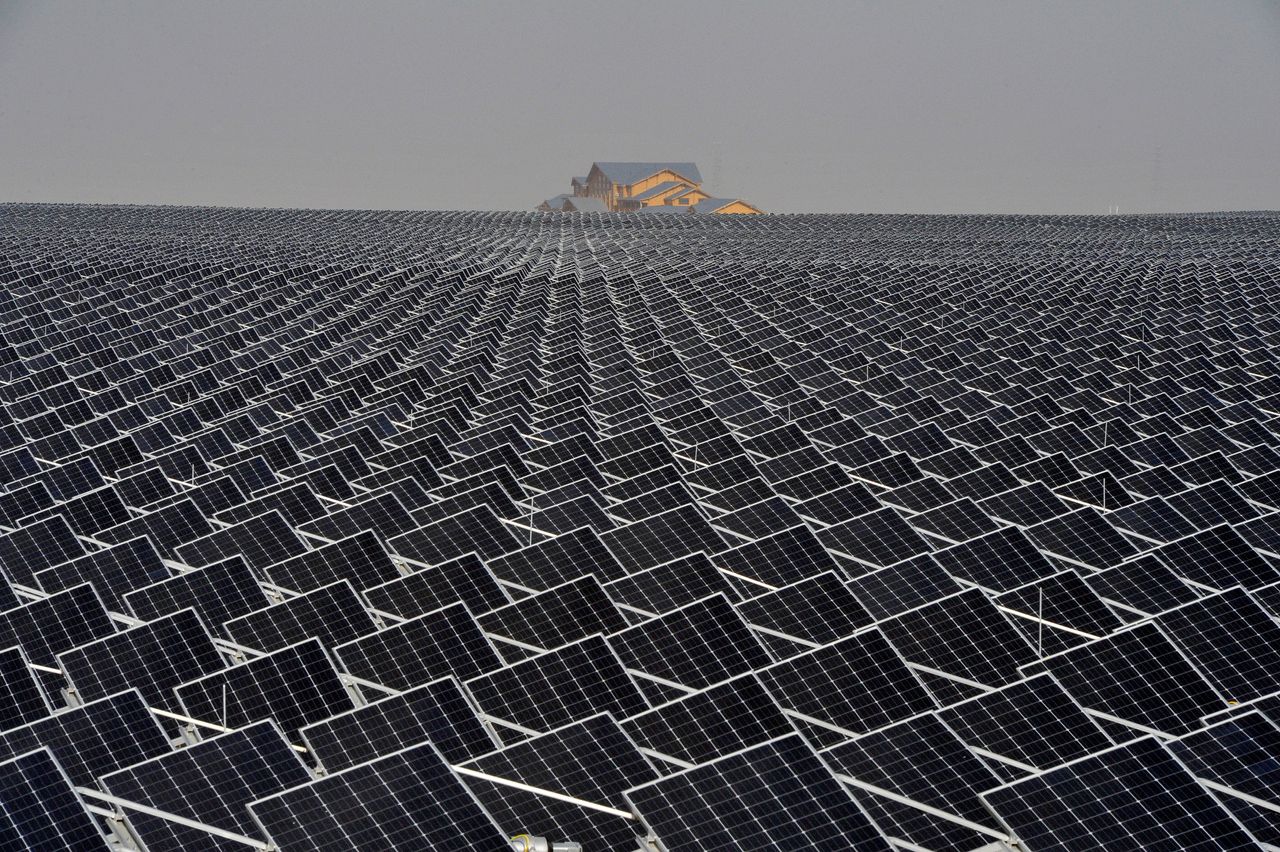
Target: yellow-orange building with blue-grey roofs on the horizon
pixel 634 187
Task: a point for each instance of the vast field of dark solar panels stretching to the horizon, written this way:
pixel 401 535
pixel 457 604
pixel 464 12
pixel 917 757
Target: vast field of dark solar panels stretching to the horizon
pixel 374 530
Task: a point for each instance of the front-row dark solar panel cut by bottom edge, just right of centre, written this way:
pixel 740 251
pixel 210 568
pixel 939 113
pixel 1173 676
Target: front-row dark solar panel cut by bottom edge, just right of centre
pixel 778 795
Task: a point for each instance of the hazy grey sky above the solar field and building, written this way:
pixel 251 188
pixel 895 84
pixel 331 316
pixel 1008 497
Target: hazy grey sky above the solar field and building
pixel 888 106
